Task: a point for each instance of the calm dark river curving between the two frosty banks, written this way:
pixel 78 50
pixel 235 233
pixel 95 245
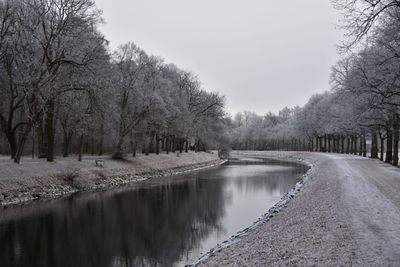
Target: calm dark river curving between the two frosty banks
pixel 155 225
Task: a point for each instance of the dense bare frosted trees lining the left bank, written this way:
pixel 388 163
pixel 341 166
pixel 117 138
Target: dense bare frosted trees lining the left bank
pixel 64 91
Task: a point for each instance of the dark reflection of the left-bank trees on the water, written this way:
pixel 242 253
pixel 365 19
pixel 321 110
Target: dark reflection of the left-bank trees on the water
pixel 148 226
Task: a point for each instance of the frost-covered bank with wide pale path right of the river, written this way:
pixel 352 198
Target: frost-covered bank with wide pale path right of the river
pixel 348 213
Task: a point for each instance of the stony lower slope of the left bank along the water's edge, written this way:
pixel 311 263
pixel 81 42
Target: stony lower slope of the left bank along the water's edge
pixel 24 191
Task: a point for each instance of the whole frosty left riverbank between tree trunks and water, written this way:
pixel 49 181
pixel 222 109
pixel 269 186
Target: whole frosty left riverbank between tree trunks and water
pixel 37 179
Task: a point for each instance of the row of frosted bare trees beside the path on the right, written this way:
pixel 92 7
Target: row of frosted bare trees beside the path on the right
pixel 360 112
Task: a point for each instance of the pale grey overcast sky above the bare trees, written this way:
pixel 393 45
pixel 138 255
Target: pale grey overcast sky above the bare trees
pixel 262 54
